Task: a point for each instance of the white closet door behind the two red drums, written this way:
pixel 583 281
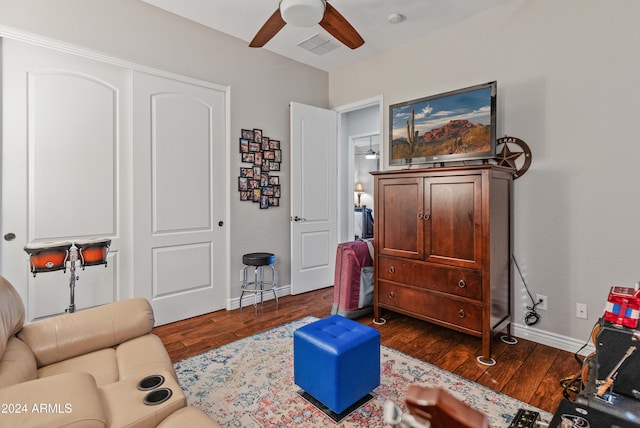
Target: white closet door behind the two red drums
pixel 64 146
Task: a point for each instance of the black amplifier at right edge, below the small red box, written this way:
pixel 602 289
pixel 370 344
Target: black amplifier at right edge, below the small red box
pixel 612 343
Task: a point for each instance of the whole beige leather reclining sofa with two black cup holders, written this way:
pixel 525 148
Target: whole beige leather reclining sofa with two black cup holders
pixel 83 369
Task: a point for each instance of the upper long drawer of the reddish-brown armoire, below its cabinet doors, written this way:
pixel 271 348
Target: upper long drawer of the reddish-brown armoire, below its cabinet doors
pixel 459 281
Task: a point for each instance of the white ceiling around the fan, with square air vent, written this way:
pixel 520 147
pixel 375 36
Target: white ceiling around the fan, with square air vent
pixel 243 18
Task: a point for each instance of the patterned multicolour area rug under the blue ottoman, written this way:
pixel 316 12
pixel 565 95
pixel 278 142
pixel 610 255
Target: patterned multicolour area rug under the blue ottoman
pixel 249 383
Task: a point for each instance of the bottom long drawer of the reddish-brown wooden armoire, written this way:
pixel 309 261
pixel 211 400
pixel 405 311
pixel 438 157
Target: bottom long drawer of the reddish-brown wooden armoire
pixel 447 309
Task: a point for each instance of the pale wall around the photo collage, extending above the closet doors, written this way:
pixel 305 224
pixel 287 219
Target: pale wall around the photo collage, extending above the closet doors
pixel 262 85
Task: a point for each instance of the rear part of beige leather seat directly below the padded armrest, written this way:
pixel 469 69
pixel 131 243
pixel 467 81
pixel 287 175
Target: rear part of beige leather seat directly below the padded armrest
pixel 102 365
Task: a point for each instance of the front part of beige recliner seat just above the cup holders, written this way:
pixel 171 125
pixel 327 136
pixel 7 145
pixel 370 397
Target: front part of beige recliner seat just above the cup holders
pixel 143 356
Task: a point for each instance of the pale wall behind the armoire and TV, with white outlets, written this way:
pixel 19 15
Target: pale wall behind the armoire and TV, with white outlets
pixel 567 75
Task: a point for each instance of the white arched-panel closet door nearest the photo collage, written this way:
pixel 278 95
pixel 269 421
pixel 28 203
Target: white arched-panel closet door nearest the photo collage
pixel 179 196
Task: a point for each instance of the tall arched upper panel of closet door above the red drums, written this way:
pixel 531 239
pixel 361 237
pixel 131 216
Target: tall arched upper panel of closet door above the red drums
pixel 72 152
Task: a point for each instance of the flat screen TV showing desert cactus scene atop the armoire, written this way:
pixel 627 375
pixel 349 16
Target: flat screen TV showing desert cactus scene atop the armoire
pixel 453 126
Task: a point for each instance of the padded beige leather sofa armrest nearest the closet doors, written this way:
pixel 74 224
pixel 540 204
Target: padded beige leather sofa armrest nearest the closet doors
pixel 65 336
